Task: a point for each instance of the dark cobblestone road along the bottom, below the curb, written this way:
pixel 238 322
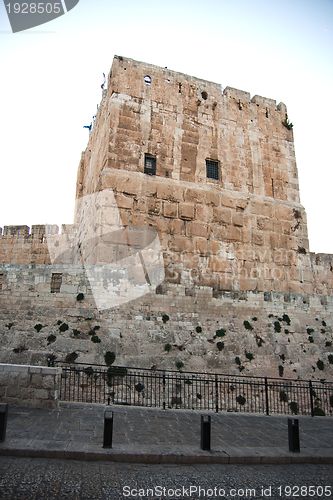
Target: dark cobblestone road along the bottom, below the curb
pixel 47 479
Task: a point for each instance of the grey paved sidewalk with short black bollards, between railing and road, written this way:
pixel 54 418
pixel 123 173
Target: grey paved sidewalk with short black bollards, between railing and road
pixel 75 431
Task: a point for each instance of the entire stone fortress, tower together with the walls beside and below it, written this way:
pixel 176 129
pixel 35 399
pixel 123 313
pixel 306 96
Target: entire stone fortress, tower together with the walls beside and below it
pixel 213 172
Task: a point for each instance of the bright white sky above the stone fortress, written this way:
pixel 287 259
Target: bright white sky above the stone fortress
pixel 51 75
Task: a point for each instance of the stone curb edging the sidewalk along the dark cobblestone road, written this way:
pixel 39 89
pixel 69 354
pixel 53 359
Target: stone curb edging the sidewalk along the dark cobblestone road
pixel 150 458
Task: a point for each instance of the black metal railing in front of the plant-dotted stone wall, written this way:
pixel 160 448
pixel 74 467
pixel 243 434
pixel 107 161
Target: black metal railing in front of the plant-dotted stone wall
pixel 197 391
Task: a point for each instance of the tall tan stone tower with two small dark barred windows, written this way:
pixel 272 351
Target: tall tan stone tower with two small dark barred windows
pixel 213 170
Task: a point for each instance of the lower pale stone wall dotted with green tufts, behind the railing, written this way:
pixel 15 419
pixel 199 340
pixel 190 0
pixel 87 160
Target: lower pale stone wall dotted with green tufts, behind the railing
pixel 257 333
